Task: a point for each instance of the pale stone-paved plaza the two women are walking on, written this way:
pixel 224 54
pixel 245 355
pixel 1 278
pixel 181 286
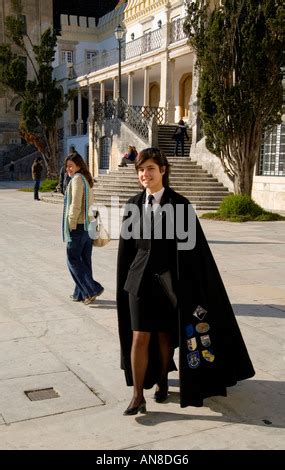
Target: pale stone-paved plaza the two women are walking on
pixel 47 341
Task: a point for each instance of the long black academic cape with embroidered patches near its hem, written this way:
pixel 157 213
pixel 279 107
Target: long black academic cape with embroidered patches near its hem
pixel 212 353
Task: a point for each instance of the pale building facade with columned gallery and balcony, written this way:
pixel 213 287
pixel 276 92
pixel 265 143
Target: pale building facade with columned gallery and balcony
pixel 156 84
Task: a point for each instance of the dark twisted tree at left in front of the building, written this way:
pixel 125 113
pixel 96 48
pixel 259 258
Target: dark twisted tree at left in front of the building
pixel 42 102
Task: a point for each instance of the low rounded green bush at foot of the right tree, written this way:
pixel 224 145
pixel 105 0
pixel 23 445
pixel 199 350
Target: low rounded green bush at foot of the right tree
pixel 241 208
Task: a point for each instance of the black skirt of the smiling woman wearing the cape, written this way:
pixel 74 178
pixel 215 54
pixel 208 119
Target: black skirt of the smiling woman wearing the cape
pixel 152 311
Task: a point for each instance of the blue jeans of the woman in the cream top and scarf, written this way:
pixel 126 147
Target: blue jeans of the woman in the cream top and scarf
pixel 79 252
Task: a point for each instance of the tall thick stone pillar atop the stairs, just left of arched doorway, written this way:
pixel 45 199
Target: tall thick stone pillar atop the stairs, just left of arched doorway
pixel 167 80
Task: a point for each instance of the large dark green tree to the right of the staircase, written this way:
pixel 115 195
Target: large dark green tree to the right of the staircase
pixel 239 45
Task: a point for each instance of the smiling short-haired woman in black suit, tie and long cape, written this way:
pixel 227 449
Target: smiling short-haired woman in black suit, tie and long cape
pixel 161 237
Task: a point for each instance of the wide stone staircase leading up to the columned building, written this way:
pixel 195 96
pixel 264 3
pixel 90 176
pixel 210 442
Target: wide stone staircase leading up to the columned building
pixel 186 177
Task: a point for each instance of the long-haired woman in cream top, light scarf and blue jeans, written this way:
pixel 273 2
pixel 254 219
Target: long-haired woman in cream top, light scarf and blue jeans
pixel 77 215
